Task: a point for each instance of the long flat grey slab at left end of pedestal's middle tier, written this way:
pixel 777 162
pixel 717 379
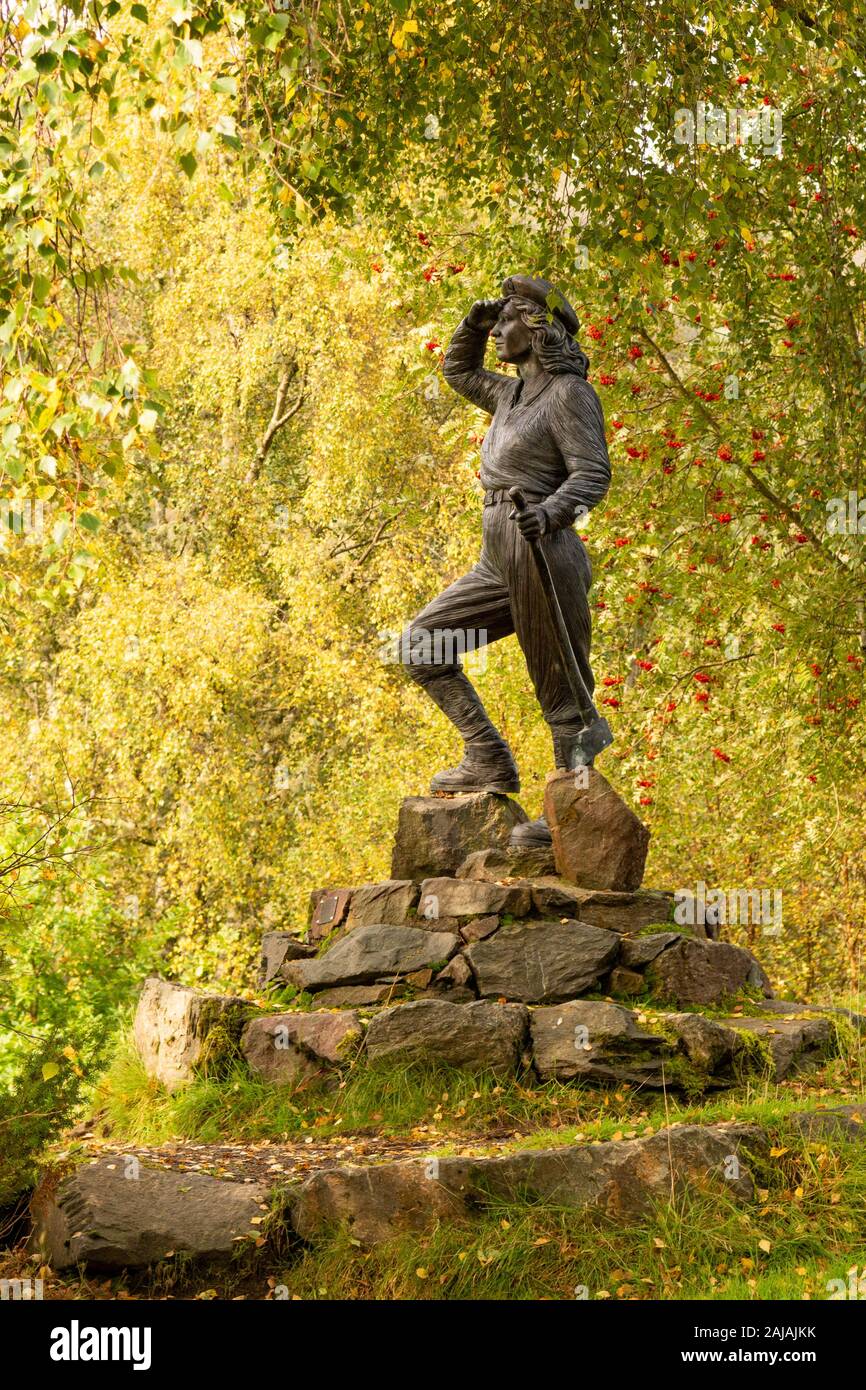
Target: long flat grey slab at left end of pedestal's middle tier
pixel 375 954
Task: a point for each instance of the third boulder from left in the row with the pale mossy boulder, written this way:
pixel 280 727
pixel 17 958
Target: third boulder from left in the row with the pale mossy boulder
pixel 475 1036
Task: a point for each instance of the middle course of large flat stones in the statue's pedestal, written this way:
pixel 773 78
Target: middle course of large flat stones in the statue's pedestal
pixel 512 953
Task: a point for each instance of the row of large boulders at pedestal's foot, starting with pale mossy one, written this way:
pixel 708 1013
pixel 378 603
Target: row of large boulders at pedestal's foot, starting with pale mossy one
pixel 576 1040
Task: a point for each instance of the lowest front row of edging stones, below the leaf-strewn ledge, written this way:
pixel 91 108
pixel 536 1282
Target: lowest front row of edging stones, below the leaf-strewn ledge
pixel 123 1213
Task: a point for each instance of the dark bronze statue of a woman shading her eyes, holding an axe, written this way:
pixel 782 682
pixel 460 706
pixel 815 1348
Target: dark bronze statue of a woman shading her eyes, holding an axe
pixel 547 439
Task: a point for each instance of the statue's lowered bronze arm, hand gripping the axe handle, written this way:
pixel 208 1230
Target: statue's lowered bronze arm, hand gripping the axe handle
pixel 579 427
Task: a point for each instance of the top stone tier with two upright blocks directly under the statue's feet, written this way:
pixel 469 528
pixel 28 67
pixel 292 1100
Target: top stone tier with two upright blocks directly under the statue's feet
pixel 452 864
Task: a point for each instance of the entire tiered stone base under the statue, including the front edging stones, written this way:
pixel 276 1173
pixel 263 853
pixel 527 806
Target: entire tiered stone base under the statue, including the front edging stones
pixel 548 965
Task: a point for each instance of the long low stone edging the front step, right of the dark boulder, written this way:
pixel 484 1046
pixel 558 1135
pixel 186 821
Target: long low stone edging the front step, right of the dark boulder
pixel 623 1178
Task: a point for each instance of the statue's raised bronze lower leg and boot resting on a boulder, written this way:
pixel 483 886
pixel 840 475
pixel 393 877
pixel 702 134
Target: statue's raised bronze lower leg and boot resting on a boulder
pixel 487 762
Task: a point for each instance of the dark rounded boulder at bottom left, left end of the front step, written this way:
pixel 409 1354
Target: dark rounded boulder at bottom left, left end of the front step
pixel 117 1214
